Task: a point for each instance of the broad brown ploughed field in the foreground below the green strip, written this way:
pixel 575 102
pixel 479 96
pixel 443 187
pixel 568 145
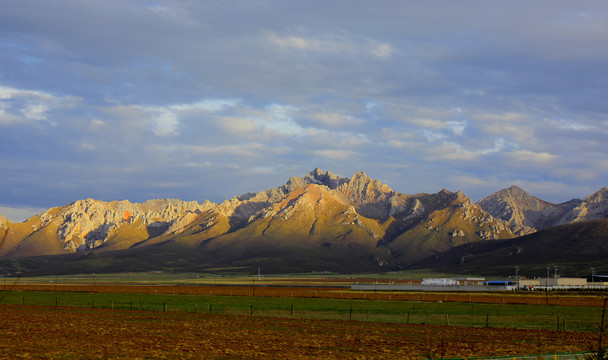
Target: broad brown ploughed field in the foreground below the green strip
pixel 79 333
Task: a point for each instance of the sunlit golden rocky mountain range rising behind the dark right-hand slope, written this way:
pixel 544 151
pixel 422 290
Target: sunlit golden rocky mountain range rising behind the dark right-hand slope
pixel 318 222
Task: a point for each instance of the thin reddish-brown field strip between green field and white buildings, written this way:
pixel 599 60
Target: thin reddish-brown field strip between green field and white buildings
pixel 529 298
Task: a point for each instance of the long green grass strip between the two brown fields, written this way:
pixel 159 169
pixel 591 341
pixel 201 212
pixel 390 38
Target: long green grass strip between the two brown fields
pixel 454 314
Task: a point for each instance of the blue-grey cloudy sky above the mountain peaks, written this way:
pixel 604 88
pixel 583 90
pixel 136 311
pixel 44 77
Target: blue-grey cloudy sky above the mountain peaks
pixel 205 100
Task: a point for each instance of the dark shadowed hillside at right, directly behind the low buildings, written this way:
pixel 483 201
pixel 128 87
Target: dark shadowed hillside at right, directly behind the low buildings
pixel 574 248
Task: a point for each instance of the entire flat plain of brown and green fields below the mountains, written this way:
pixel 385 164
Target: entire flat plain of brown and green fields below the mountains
pixel 144 315
